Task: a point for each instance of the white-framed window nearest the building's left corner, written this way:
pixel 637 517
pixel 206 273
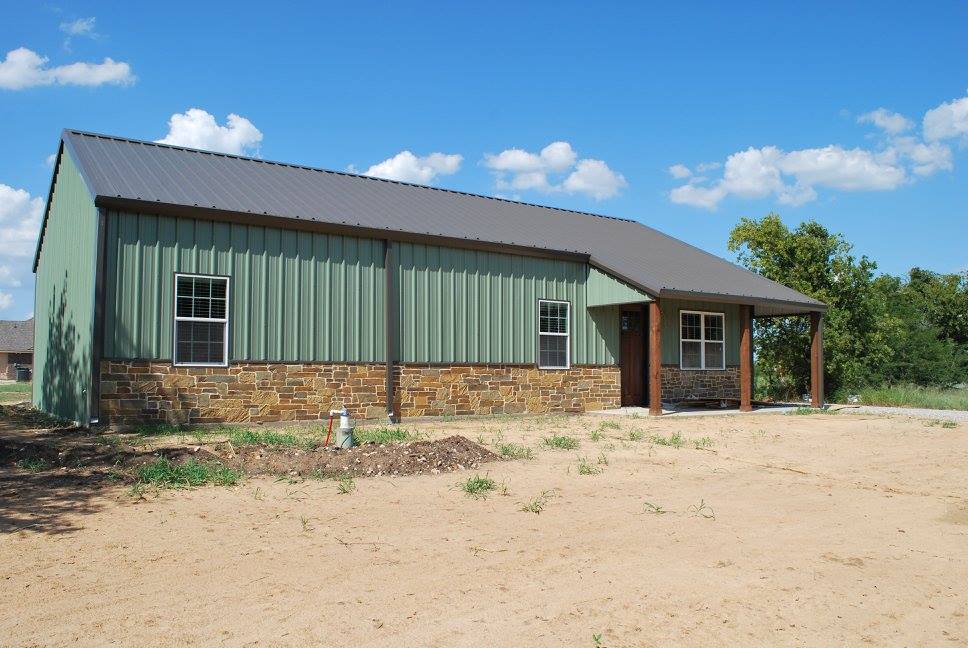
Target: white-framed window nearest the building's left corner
pixel 201 327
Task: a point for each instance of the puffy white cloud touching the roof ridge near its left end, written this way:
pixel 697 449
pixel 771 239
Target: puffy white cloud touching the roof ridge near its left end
pixel 195 128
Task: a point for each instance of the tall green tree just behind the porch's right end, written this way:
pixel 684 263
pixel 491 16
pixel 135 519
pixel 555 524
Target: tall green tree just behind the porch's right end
pixel 817 263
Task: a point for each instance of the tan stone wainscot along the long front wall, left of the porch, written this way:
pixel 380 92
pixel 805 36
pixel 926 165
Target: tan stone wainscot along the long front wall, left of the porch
pixel 143 391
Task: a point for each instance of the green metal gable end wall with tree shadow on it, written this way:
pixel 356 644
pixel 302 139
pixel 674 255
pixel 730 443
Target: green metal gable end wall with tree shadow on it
pixel 64 299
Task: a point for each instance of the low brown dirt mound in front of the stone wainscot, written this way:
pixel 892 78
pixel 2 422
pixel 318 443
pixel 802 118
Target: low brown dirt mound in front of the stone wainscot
pixel 415 458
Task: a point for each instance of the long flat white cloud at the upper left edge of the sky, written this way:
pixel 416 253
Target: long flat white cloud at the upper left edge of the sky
pixel 24 68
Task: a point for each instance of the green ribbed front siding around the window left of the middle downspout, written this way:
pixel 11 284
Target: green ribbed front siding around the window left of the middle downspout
pixel 295 296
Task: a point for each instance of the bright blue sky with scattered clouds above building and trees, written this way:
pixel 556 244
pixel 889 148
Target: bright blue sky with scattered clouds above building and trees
pixel 685 117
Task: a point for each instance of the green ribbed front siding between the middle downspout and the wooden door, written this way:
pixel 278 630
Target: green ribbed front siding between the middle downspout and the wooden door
pixel 481 307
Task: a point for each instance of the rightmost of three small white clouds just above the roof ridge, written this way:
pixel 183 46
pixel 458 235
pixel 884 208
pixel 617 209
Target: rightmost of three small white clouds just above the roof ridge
pixel 522 170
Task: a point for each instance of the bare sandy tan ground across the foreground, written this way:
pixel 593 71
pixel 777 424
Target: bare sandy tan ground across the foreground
pixel 769 529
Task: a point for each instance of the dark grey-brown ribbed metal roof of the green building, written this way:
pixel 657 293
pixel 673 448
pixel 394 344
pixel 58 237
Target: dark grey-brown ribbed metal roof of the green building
pixel 130 174
